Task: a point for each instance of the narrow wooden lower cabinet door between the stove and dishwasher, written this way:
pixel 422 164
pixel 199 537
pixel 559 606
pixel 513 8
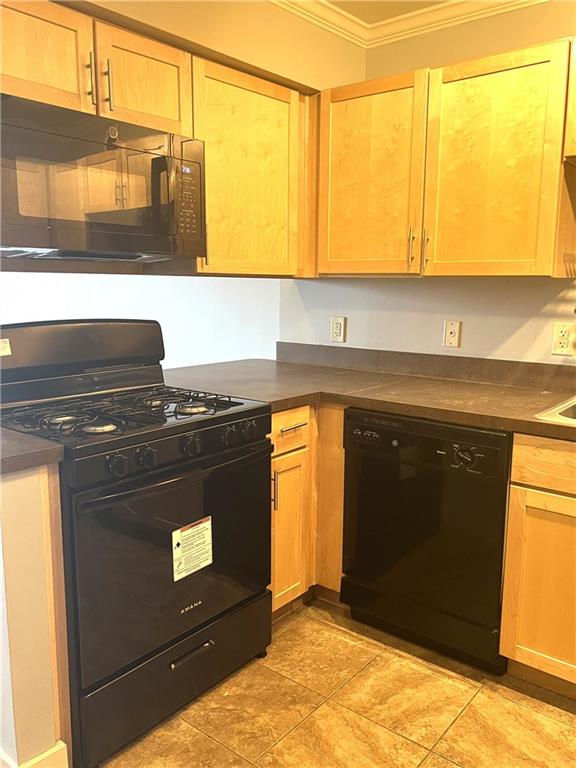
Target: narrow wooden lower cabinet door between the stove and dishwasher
pixel 291 502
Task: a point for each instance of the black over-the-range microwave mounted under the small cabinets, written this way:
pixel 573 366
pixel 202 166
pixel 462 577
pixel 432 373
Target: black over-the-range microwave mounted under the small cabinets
pixel 83 188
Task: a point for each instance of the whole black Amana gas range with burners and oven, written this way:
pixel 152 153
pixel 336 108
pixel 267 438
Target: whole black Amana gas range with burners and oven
pixel 165 519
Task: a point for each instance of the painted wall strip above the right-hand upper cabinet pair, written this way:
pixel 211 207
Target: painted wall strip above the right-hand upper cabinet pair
pixel 495 34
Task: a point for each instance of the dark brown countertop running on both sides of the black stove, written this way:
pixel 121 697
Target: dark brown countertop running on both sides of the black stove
pixel 285 385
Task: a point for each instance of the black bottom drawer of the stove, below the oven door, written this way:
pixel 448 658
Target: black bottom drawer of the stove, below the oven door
pixel 118 712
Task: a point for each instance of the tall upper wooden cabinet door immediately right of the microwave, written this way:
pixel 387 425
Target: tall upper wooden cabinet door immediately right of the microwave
pixel 251 130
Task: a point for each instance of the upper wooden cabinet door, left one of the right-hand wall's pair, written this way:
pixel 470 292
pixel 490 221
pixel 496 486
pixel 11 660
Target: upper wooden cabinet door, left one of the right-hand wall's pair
pixel 372 141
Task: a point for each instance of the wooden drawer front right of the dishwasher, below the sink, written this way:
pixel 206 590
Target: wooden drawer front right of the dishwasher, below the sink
pixel 544 463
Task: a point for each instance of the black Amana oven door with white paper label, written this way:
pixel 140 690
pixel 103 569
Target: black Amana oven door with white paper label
pixel 156 560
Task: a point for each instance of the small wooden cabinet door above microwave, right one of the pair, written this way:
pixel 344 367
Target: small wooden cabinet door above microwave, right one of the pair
pixel 142 81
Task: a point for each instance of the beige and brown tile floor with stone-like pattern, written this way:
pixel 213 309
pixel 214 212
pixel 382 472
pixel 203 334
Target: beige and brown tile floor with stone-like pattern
pixel 333 693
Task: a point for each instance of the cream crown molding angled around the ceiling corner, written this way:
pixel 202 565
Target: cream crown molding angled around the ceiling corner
pixel 447 14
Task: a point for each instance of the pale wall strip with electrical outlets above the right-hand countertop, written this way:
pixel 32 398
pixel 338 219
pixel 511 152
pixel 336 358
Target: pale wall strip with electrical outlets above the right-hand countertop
pixel 506 318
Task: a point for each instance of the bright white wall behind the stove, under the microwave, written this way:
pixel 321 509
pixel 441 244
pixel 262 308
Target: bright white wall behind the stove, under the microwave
pixel 203 319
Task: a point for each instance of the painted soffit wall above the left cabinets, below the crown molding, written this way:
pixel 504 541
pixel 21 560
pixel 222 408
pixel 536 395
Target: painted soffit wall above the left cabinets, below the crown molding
pixel 257 32
